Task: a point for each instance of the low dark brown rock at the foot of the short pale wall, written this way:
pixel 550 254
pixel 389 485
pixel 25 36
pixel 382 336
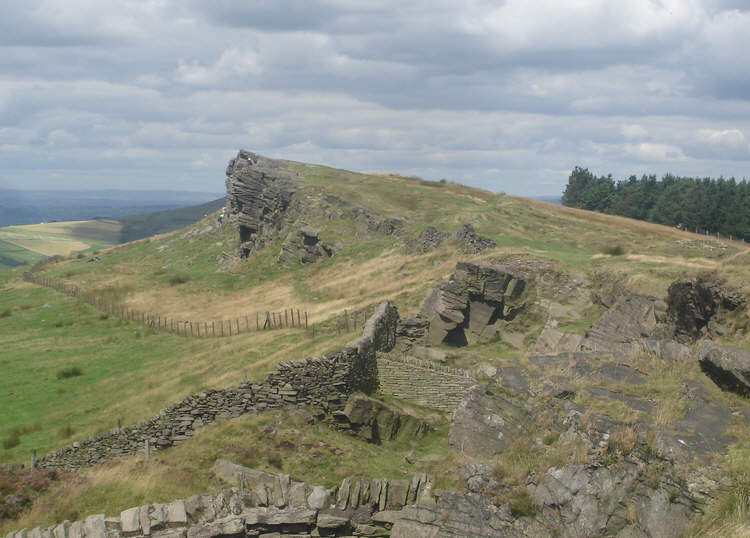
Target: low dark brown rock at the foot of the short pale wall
pixel 375 421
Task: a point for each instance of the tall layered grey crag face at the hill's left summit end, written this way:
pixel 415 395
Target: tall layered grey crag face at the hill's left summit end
pixel 259 194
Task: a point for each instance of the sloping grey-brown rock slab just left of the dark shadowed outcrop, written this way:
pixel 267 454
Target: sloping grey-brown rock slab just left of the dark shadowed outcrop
pixel 631 319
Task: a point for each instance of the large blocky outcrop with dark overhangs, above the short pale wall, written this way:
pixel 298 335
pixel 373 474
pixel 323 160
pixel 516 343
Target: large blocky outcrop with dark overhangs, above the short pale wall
pixel 469 306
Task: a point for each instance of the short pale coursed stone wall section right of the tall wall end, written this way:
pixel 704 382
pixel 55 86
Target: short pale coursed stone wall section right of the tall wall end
pixel 422 382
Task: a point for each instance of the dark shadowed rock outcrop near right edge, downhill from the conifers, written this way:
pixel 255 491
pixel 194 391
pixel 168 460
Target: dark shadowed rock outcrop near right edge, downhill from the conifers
pixel 693 302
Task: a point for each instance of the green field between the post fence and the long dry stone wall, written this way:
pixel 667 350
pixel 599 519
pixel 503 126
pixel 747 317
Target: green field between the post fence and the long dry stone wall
pixel 128 372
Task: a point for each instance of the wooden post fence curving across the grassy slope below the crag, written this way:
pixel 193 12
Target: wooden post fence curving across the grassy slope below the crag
pixel 291 318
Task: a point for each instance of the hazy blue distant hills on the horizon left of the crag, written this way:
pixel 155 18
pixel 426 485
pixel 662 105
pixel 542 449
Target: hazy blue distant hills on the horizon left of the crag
pixel 32 207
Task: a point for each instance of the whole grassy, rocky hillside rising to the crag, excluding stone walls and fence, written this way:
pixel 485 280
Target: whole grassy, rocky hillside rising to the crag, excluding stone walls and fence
pixel 570 324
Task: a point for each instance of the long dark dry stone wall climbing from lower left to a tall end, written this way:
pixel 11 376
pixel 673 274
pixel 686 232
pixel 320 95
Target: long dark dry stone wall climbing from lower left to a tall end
pixel 324 383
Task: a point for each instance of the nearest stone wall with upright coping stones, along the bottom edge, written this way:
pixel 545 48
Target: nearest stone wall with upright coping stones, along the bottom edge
pixel 264 504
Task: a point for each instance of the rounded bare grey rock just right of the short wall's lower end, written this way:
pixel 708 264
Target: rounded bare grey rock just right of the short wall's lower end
pixel 485 422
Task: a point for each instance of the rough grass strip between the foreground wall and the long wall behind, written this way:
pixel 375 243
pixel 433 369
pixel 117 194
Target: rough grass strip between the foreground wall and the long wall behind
pixel 317 454
